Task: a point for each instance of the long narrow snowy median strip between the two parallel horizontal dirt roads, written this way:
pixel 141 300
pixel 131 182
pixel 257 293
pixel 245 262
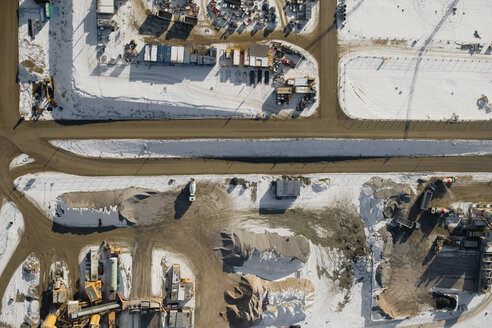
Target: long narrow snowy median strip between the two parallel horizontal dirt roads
pixel 227 148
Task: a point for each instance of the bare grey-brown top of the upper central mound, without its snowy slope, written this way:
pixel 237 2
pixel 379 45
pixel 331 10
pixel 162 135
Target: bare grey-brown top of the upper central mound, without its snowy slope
pixel 239 245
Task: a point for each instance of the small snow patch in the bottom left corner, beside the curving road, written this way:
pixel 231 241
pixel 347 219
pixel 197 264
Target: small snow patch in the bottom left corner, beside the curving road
pixel 20 302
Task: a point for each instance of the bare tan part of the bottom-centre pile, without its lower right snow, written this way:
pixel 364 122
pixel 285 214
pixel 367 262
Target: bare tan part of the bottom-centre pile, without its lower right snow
pixel 252 298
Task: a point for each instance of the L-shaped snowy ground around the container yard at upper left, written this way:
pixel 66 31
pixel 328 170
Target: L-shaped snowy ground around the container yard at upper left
pixel 86 89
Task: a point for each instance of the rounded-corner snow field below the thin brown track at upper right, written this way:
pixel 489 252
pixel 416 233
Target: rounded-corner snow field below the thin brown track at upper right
pixel 413 87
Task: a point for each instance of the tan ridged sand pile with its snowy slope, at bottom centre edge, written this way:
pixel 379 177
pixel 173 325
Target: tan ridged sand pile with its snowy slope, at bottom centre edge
pixel 255 300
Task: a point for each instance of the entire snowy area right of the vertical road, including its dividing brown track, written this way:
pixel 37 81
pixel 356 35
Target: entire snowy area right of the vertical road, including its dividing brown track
pixel 412 60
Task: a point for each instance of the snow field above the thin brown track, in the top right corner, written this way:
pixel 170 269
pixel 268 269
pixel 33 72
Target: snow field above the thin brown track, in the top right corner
pixel 420 20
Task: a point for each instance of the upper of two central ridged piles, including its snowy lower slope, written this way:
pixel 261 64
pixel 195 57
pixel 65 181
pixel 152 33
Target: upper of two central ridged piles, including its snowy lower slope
pixel 268 255
